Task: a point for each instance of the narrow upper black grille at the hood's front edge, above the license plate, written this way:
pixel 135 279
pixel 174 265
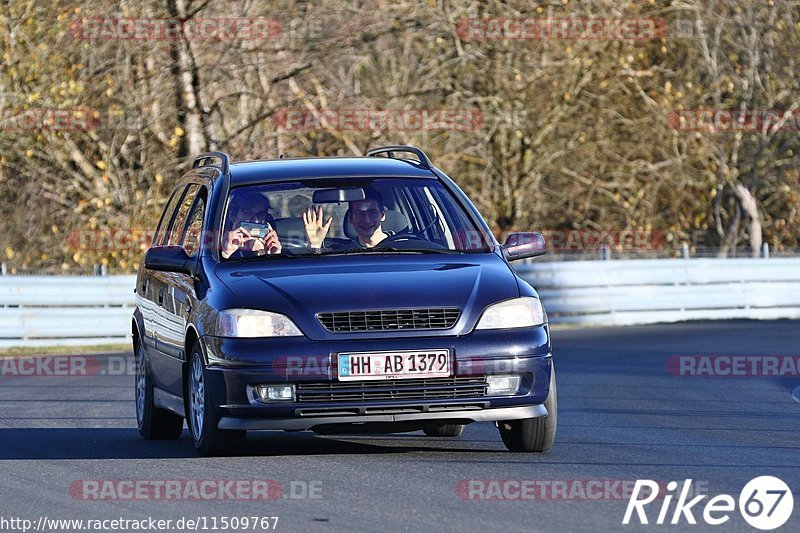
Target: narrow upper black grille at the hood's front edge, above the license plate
pixel 390 319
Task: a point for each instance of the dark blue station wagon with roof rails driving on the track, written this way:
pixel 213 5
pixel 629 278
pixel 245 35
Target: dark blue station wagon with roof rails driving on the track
pixel 336 294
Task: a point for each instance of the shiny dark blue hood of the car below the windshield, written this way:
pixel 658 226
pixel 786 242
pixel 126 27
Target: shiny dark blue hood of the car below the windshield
pixel 301 288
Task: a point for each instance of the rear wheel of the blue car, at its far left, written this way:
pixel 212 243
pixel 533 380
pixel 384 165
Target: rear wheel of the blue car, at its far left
pixel 154 423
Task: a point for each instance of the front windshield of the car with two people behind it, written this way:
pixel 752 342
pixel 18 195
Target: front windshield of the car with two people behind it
pixel 382 215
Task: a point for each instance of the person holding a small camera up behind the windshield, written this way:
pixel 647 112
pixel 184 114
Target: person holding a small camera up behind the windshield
pixel 248 207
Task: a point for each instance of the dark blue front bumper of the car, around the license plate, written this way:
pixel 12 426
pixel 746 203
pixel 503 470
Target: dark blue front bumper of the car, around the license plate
pixel 236 365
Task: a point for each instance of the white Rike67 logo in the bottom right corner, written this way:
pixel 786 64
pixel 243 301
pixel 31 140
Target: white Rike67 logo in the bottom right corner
pixel 765 503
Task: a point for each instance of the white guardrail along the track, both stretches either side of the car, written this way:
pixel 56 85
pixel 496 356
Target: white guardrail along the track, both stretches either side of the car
pixel 66 310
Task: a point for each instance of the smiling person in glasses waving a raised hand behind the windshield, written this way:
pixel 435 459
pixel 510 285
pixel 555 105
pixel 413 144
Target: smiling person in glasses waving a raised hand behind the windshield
pixel 365 216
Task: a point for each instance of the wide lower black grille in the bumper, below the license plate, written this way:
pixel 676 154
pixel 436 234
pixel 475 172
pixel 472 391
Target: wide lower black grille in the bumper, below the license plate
pixel 395 389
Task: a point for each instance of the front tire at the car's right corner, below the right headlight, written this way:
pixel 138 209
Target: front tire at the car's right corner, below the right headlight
pixel 533 434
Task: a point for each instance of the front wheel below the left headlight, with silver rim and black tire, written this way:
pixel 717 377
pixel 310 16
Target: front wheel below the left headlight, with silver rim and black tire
pixel 203 418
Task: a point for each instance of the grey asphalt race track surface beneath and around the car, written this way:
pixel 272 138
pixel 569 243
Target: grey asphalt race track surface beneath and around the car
pixel 622 416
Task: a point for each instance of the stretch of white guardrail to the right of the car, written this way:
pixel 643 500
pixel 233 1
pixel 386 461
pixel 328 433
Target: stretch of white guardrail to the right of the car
pixel 646 291
